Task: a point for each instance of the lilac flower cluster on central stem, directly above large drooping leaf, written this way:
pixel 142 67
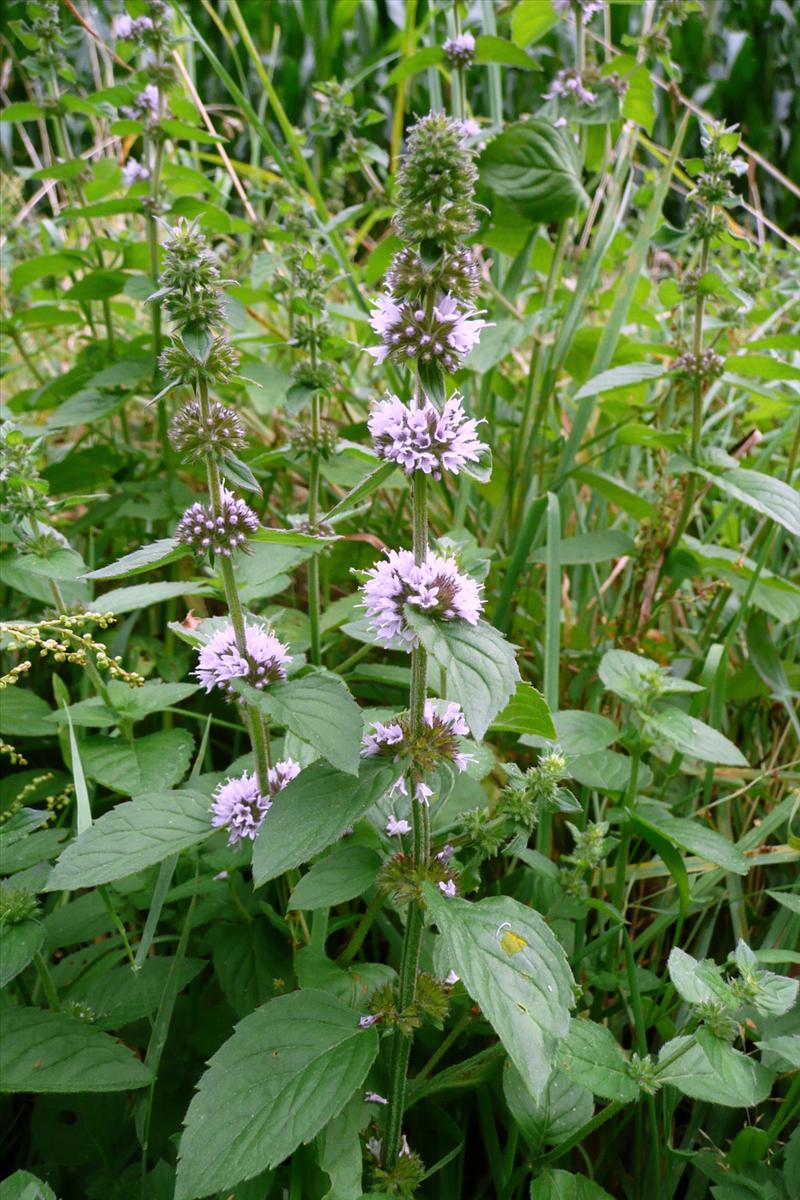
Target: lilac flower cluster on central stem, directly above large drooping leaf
pixel 436 587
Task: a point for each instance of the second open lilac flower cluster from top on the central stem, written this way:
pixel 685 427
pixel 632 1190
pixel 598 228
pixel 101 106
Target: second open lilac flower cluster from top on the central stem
pixel 419 437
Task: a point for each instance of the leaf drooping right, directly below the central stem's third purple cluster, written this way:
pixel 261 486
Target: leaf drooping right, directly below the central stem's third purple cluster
pixel 480 667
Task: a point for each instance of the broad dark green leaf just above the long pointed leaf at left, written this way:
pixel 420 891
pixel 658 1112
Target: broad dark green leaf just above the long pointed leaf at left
pixel 147 765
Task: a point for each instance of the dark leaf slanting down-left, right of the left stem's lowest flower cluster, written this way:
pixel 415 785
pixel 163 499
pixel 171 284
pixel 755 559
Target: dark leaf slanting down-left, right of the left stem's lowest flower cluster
pixel 314 812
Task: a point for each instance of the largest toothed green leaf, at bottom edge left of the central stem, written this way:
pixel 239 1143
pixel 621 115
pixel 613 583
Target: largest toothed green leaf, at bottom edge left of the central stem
pixel 288 1070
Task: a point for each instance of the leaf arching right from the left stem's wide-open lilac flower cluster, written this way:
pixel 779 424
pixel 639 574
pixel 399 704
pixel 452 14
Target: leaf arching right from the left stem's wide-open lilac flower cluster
pixel 320 710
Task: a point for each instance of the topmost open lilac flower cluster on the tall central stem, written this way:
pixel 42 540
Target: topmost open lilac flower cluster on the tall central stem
pixel 444 334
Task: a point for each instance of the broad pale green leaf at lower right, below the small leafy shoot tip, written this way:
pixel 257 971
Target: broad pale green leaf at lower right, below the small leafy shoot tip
pixel 711 1070
